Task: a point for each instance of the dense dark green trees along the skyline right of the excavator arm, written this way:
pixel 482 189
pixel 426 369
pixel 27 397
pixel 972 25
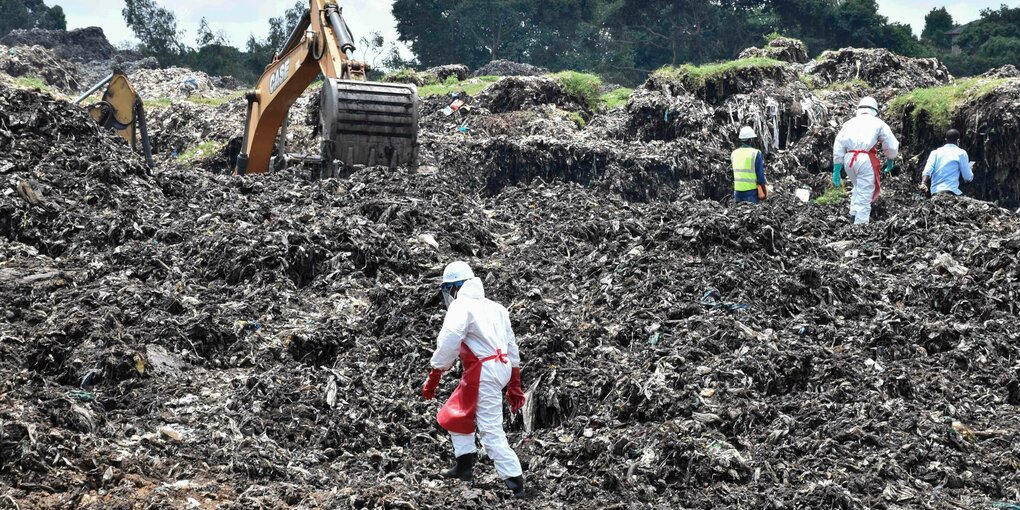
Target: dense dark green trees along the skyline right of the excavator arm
pixel 625 40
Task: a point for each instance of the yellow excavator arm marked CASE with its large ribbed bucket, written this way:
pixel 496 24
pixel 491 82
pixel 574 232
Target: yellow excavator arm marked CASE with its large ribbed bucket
pixel 362 123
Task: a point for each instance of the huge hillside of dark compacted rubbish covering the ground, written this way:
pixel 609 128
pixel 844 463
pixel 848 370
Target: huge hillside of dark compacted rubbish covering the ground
pixel 183 338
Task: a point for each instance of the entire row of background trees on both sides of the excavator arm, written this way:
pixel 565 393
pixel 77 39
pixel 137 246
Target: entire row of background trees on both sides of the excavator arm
pixel 622 40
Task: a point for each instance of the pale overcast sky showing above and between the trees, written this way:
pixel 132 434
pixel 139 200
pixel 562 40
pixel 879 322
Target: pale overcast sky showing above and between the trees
pixel 241 18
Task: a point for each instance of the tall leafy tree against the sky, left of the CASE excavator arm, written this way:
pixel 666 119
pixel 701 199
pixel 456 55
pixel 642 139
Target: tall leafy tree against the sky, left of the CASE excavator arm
pixel 157 28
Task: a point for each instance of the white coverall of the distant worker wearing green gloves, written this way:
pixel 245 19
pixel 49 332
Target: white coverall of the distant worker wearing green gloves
pixel 863 133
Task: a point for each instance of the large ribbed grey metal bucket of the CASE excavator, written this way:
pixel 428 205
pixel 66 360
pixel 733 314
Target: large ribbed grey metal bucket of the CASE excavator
pixel 370 124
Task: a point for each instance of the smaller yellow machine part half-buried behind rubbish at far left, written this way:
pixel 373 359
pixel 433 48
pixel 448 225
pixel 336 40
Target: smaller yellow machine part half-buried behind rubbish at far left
pixel 121 111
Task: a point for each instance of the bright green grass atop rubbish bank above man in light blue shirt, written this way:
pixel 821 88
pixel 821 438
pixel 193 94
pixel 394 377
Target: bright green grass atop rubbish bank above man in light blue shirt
pixel 940 104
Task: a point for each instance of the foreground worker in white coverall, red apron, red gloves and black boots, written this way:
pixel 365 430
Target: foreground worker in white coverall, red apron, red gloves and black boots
pixel 478 331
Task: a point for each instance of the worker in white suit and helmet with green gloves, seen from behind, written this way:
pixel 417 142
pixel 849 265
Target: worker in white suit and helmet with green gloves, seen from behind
pixel 856 149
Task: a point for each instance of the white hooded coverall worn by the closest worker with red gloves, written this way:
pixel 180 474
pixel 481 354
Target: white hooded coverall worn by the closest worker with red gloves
pixel 484 327
